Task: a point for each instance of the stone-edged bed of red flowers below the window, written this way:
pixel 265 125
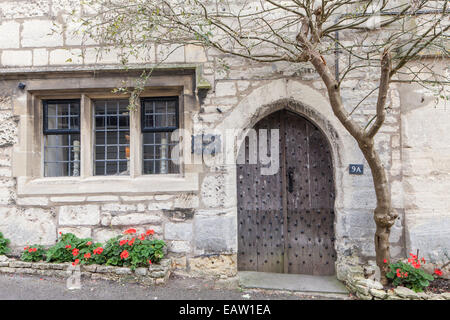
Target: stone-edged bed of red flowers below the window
pixel 130 256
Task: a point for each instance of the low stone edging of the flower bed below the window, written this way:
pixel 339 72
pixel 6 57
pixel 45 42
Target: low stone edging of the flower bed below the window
pixel 155 274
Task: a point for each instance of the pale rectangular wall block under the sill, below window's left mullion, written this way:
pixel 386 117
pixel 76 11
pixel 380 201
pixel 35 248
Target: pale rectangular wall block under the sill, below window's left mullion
pixel 79 215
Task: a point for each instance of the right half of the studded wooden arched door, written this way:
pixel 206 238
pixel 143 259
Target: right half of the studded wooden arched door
pixel 310 199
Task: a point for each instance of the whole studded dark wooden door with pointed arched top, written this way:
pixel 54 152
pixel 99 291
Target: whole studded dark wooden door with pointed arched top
pixel 285 220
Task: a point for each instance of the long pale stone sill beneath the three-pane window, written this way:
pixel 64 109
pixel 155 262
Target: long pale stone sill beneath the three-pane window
pixel 107 184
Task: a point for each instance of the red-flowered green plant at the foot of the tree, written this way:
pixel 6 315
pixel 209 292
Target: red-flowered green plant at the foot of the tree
pixel 409 275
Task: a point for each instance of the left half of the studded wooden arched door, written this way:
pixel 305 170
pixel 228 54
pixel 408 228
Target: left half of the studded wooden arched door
pixel 260 211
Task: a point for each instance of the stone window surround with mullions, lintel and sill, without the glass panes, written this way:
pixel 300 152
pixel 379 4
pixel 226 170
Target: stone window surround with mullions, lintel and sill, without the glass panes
pixel 88 85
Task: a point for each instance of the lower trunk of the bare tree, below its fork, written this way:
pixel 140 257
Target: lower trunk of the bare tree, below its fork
pixel 384 215
